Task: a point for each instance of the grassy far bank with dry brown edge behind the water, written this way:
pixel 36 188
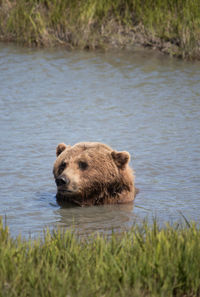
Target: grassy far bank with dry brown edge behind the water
pixel 168 25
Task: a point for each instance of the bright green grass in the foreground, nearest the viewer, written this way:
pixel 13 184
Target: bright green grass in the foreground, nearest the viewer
pixel 143 262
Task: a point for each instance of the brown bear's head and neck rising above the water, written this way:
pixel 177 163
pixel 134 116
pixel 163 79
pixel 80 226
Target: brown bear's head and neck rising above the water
pixel 92 173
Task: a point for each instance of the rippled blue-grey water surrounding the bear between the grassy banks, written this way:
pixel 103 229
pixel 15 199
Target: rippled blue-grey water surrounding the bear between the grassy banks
pixel 139 101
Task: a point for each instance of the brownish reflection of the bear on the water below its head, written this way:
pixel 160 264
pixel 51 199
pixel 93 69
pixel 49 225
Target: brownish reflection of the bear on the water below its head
pixel 102 219
